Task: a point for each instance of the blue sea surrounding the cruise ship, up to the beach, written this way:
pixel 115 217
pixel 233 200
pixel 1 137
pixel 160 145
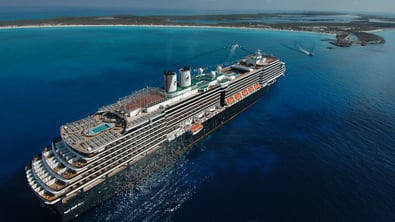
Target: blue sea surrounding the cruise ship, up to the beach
pixel 318 147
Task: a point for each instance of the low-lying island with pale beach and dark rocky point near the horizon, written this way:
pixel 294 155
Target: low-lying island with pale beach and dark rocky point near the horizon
pixel 349 29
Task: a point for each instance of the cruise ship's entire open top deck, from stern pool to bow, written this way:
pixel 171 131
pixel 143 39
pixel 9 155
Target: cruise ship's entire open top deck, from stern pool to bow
pixel 109 123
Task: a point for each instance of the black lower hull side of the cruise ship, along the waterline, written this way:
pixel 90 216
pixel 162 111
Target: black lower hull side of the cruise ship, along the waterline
pixel 127 178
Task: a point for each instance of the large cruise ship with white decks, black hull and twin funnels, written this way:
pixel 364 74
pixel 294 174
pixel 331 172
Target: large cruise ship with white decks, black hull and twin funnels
pixel 112 149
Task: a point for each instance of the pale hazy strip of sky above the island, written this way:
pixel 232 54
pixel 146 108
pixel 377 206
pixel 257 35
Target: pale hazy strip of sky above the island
pixel 387 6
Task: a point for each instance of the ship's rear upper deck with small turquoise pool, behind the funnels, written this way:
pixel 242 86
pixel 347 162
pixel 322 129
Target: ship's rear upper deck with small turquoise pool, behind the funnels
pixel 93 133
